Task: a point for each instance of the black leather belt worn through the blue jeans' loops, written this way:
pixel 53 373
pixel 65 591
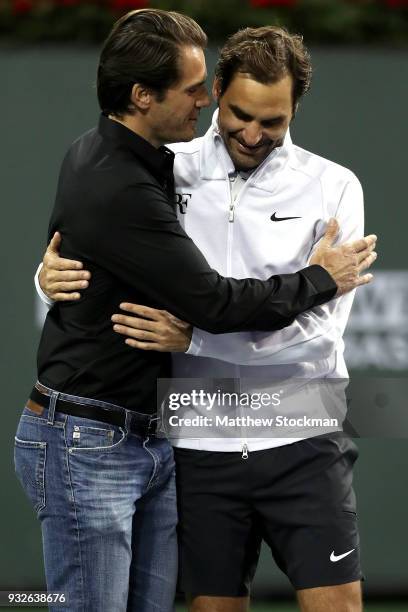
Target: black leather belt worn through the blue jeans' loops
pixel 140 424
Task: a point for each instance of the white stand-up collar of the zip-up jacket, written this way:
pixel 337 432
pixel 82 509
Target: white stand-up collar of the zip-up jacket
pixel 215 162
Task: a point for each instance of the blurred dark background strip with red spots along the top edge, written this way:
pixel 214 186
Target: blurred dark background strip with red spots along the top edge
pixel 320 21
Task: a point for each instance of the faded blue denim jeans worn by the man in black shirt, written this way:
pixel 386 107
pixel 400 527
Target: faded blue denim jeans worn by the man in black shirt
pixel 106 501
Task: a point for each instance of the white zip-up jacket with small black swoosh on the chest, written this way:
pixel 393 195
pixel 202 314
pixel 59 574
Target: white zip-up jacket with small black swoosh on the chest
pixel 239 239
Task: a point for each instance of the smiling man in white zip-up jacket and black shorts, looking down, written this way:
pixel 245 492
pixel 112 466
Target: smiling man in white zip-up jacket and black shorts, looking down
pixel 257 205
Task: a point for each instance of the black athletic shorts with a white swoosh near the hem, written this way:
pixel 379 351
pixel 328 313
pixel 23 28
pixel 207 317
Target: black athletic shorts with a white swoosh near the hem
pixel 298 498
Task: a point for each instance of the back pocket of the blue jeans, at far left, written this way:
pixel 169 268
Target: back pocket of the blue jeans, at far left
pixel 29 461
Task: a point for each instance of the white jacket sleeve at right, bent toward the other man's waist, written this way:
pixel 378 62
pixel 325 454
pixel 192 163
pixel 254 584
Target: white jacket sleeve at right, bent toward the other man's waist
pixel 314 334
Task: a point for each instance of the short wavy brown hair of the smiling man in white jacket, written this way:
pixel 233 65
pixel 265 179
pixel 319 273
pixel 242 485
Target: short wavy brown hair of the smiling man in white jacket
pixel 267 54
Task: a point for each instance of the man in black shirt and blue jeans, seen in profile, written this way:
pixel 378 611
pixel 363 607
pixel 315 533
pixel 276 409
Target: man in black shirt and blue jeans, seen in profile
pixel 104 484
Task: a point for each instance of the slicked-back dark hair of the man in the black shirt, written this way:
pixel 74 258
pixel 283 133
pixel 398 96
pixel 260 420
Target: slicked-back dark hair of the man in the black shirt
pixel 143 47
